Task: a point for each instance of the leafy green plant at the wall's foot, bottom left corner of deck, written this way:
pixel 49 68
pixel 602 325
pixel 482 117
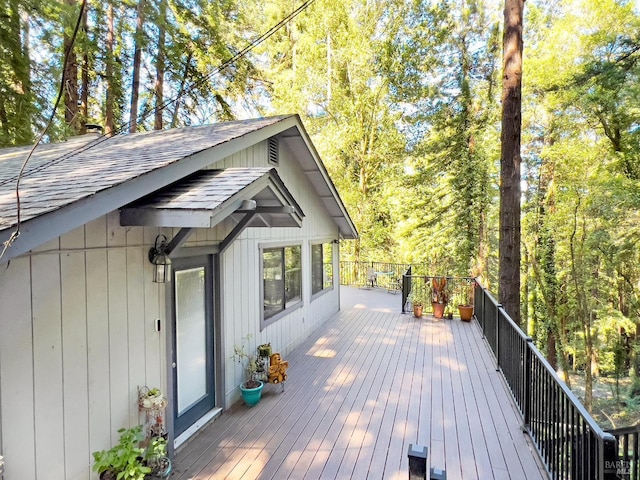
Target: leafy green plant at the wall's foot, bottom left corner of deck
pixel 125 460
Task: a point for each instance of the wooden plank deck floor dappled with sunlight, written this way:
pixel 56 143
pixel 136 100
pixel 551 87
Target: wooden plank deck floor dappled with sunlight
pixel 360 390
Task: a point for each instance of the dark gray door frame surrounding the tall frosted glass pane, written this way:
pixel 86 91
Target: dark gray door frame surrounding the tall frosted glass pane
pixel 212 262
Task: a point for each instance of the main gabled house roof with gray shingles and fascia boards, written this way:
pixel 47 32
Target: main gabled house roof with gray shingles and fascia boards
pixel 68 184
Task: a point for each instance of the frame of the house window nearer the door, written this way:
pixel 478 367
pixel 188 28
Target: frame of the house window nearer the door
pixel 288 305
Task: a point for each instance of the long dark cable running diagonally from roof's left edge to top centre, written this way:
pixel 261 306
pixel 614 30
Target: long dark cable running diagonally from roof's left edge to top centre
pixel 125 126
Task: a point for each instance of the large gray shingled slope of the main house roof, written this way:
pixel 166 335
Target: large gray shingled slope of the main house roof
pixel 60 174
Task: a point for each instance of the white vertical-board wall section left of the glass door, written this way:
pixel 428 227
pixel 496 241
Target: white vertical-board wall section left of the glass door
pixel 78 338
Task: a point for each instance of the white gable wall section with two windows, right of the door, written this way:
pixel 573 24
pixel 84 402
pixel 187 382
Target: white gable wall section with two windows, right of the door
pixel 241 270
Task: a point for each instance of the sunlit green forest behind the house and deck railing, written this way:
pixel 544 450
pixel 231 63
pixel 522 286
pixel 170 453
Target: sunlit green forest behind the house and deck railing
pixel 402 100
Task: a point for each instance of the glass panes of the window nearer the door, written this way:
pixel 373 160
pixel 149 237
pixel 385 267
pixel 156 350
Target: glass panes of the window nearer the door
pixel 282 278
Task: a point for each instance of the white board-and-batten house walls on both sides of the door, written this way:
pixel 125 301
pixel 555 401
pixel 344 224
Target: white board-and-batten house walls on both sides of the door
pixel 77 327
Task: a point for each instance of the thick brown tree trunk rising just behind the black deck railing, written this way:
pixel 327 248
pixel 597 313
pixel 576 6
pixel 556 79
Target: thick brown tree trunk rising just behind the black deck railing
pixel 509 242
